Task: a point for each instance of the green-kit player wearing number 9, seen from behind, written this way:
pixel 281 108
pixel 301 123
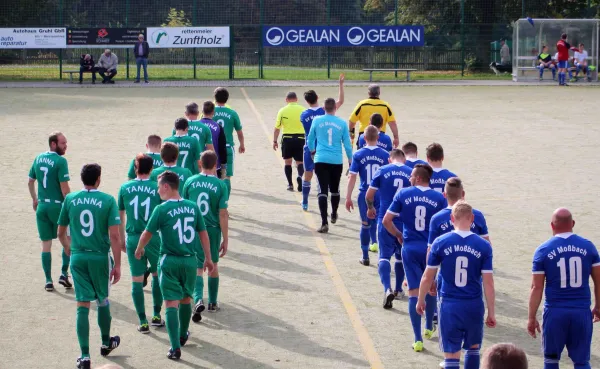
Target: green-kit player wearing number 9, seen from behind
pixel 94 221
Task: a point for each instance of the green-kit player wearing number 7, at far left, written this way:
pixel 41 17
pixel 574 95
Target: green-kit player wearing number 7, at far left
pixel 51 172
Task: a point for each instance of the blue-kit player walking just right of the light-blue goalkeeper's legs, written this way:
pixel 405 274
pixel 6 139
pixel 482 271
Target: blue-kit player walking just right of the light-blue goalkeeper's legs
pixel 366 162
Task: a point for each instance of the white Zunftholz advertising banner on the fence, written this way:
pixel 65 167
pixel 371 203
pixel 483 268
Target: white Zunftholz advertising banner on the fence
pixel 176 37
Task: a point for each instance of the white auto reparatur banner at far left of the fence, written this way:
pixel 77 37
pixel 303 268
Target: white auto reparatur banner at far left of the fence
pixel 33 38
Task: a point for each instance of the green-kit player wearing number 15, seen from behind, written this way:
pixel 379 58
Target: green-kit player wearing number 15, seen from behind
pixel 182 231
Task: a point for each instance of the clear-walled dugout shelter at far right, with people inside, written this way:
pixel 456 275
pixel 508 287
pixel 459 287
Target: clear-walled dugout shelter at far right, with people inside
pixel 530 35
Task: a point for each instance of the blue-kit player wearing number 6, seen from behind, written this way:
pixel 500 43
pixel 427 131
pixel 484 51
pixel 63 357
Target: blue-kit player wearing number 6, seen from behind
pixel 462 258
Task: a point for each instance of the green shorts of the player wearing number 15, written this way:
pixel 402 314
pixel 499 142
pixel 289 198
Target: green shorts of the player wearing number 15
pixel 177 277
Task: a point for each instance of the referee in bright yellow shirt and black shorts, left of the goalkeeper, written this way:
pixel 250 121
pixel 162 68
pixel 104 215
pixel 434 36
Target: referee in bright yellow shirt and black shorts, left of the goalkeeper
pixel 292 138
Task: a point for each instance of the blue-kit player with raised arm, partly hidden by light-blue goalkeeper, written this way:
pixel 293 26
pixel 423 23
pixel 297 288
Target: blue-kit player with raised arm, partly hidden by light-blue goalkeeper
pixel 307 117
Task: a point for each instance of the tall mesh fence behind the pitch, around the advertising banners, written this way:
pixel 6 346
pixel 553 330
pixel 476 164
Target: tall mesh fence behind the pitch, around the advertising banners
pixel 458 34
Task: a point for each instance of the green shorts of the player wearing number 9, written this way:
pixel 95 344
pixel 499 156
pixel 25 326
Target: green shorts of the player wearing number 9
pixel 91 276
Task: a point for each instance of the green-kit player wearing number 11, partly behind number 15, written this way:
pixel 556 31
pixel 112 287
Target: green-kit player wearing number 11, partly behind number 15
pixel 138 198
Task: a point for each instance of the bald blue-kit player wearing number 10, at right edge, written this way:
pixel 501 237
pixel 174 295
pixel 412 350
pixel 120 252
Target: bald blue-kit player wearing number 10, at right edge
pixel 564 263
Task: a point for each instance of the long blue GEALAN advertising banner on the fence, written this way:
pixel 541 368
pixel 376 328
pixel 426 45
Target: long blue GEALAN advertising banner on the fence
pixel 343 36
